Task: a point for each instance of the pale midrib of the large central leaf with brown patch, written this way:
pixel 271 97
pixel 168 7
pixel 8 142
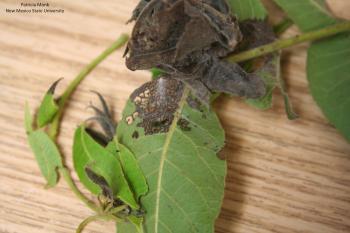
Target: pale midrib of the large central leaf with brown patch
pixel 167 142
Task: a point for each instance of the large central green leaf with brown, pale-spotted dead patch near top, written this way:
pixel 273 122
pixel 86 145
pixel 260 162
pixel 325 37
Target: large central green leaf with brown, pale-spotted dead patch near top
pixel 178 139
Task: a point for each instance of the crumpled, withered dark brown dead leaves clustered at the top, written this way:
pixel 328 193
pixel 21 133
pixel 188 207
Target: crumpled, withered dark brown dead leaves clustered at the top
pixel 187 39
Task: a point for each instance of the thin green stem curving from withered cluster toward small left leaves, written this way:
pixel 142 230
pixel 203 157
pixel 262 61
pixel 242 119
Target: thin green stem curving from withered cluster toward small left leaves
pixel 54 127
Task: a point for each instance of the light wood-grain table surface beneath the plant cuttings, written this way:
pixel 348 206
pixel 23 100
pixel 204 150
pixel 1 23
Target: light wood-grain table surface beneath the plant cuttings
pixel 283 176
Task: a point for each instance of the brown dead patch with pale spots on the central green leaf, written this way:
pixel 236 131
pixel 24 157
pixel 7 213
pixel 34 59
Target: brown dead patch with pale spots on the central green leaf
pixel 156 103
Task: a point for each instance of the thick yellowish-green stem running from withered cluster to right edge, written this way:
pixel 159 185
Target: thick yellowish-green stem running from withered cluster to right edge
pixel 285 43
